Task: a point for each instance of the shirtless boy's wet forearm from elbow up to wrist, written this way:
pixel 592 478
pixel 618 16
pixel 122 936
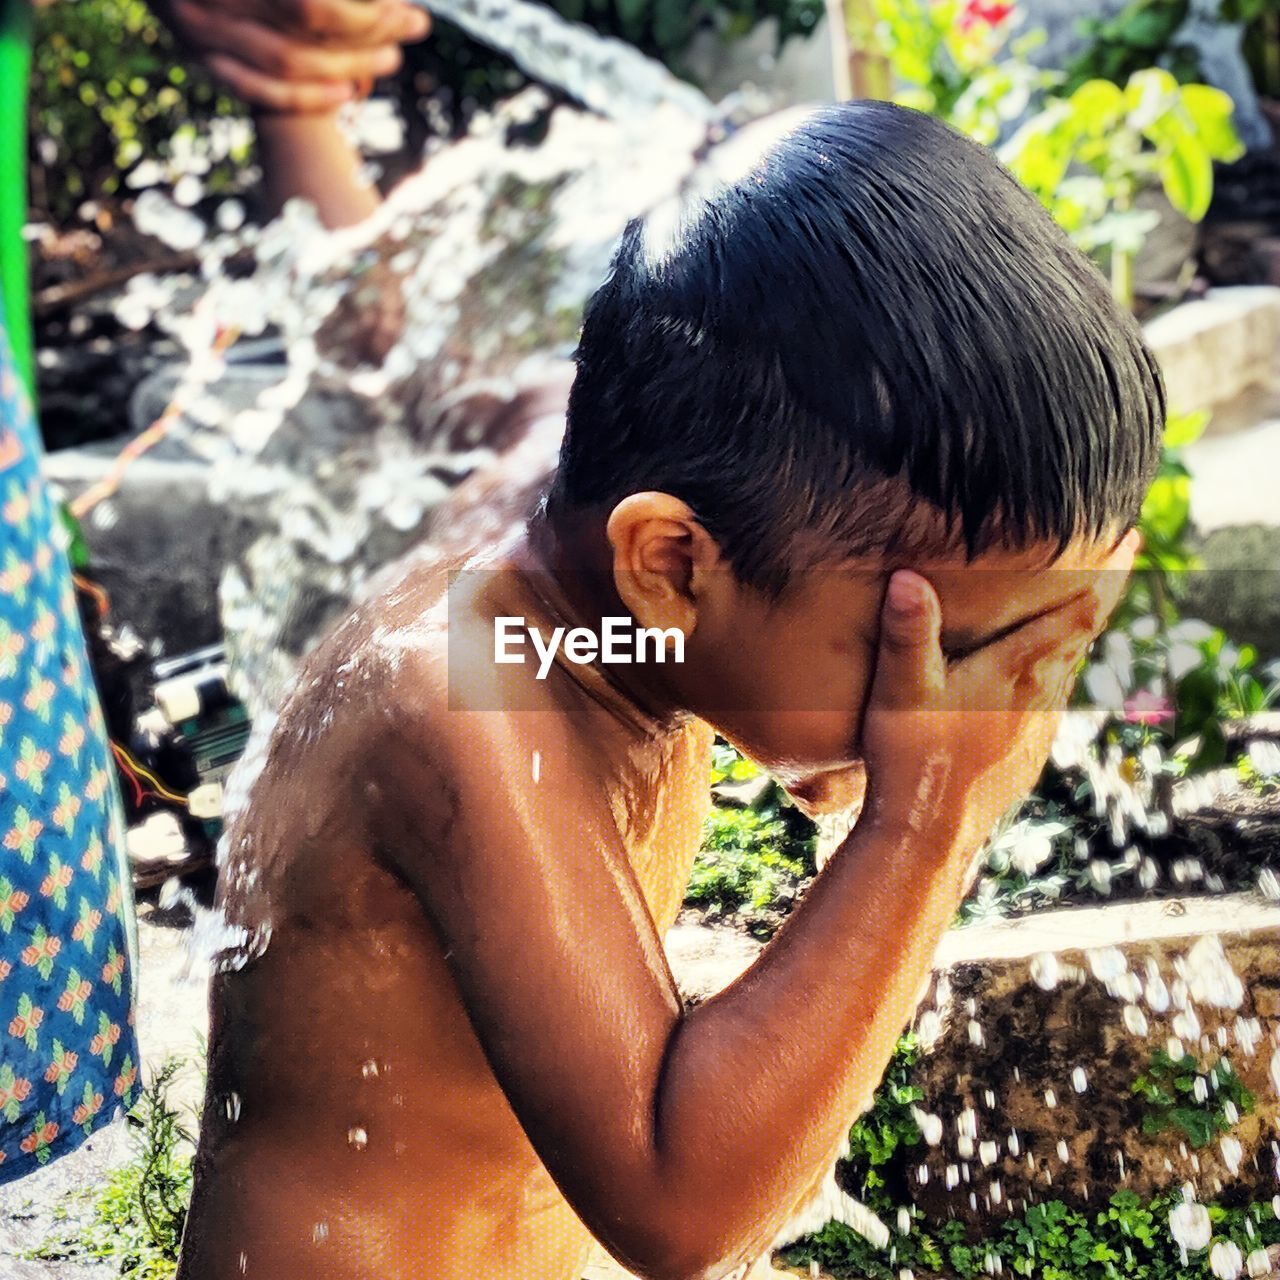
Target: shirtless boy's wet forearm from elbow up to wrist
pixel 762 1082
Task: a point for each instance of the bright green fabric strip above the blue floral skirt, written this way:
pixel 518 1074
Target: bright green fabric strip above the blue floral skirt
pixel 15 74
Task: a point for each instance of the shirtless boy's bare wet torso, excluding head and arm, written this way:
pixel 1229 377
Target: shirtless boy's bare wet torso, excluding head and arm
pixel 353 1118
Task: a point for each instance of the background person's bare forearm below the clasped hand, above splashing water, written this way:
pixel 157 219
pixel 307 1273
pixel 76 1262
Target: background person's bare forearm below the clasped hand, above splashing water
pixel 308 157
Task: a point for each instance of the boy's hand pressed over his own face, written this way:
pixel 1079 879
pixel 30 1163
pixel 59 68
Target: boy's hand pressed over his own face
pixel 953 748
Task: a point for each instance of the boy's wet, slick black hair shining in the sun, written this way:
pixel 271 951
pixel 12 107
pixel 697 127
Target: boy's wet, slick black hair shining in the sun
pixel 877 299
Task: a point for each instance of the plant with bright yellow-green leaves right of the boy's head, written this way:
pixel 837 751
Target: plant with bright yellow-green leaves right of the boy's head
pixel 1087 156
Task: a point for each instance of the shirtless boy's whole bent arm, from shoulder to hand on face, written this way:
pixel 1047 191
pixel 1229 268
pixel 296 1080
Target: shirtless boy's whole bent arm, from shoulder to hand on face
pixel 685 1140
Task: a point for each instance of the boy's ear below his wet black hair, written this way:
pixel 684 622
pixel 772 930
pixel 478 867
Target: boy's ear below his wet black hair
pixel 664 560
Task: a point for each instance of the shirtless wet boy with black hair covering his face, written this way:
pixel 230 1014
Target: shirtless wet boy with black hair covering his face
pixel 867 432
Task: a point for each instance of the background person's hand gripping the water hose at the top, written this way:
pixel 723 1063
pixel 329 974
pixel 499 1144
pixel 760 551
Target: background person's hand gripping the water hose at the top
pixel 299 57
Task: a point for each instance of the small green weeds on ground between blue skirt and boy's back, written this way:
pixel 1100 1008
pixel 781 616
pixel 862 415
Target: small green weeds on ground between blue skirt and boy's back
pixel 138 1219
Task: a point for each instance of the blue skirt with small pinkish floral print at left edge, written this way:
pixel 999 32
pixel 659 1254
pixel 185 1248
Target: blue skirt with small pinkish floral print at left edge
pixel 68 1052
